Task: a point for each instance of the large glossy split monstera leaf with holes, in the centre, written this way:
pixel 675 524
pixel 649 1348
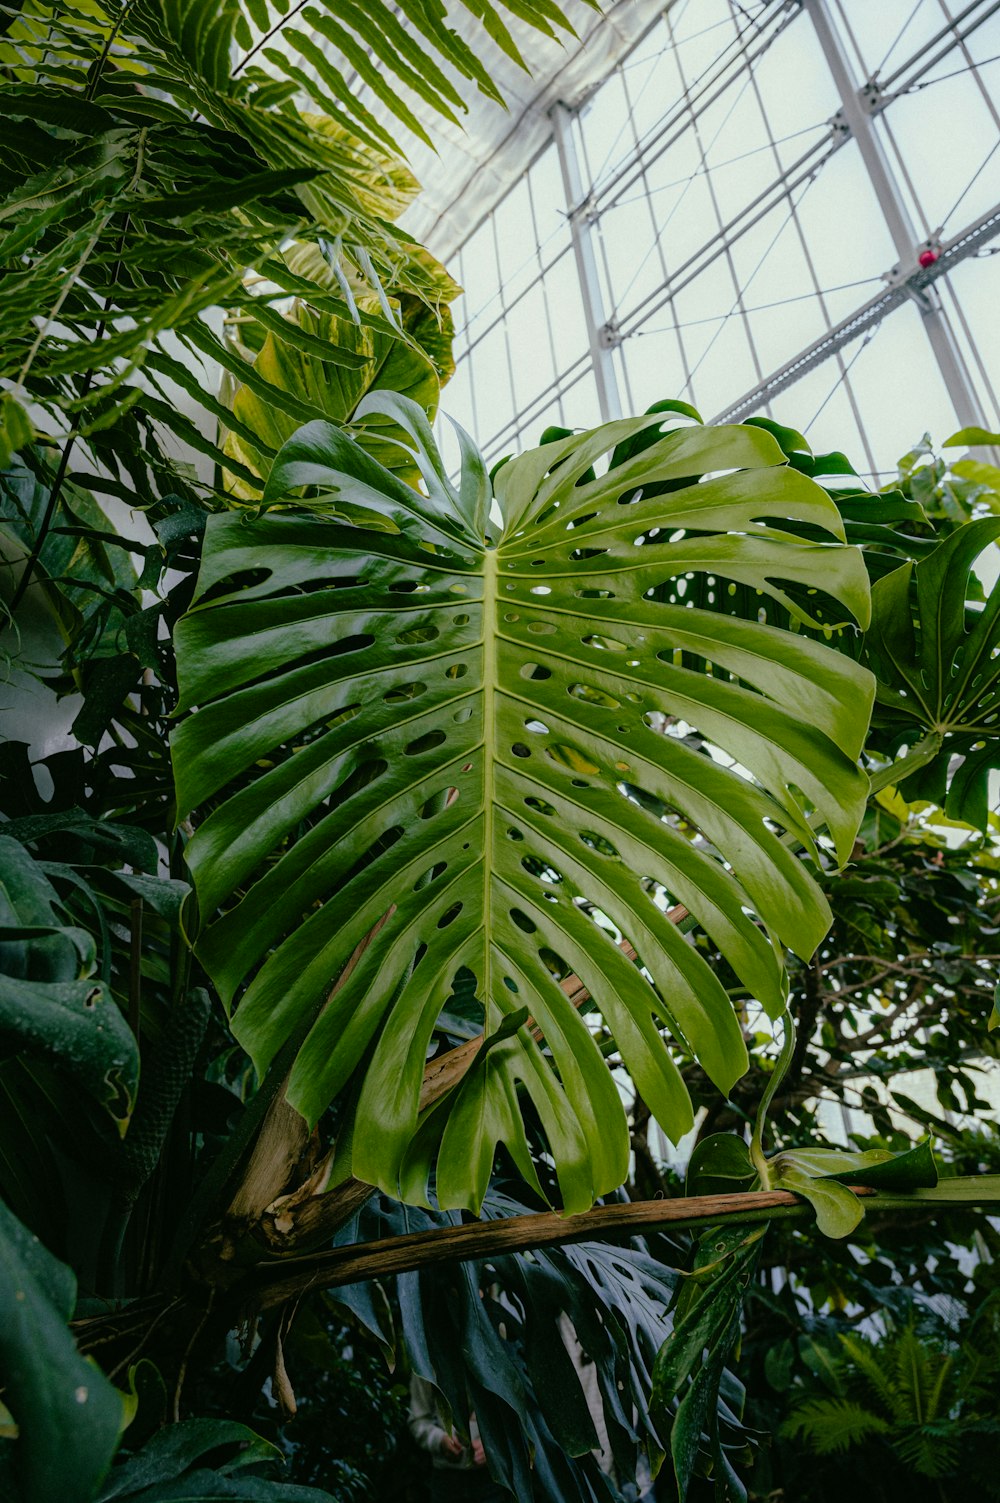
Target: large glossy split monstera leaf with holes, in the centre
pixel 402 713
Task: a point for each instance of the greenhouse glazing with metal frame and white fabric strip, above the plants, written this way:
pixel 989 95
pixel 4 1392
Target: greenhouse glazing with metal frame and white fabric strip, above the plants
pixel 786 208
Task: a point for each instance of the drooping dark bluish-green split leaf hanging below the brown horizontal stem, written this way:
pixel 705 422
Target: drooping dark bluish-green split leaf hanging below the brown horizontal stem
pixel 492 1340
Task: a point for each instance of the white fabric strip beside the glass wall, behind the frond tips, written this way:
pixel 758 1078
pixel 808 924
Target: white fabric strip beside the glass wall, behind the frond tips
pixel 474 166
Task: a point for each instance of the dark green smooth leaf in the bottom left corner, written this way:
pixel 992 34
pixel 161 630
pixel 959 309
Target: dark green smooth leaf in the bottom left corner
pixel 68 1415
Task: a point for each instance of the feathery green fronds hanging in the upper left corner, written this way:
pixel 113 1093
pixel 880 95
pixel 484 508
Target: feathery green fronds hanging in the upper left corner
pixel 147 169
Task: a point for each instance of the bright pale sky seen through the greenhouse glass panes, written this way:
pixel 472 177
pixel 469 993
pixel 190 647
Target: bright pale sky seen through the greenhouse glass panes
pixel 733 226
